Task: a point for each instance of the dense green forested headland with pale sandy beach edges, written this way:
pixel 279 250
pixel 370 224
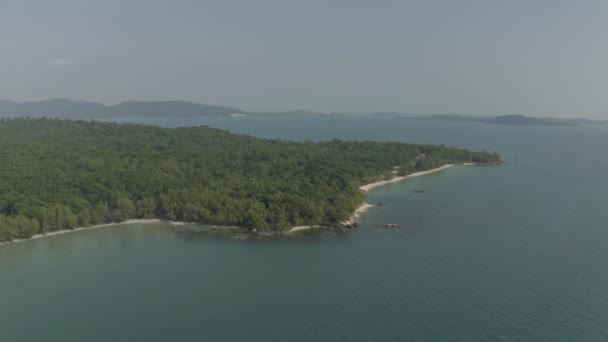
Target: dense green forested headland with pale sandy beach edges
pixel 61 174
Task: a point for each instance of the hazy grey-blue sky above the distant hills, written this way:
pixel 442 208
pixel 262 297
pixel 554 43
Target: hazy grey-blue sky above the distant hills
pixel 454 56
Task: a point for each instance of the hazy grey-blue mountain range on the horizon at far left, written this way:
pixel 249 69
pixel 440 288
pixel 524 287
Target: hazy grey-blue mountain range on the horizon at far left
pixel 69 109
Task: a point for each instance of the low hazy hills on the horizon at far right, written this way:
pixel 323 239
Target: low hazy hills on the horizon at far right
pixel 514 120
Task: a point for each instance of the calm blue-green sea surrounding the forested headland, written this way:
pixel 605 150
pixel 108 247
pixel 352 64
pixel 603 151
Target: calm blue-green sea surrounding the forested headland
pixel 510 253
